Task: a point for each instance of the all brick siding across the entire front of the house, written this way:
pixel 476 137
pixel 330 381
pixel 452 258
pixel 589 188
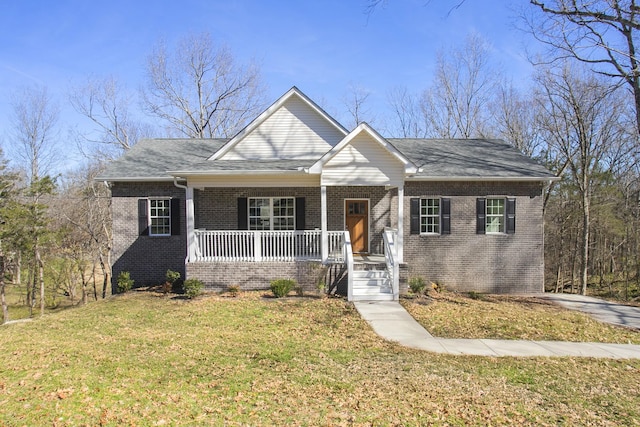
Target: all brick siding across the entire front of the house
pixel 462 260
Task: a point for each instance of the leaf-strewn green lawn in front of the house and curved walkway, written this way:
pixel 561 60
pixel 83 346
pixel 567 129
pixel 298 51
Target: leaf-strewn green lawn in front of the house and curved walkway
pixel 142 359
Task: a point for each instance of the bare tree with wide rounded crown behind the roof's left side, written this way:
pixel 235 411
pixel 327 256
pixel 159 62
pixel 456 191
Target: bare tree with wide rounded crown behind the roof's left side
pixel 200 90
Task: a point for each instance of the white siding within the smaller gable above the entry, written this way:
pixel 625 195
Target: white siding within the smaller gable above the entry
pixel 363 162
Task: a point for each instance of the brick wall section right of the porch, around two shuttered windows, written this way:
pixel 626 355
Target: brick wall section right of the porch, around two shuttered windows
pixel 464 260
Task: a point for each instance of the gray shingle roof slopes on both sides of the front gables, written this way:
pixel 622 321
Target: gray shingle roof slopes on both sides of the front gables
pixel 153 159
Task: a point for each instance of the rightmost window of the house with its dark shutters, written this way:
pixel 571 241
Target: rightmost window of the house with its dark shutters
pixel 496 215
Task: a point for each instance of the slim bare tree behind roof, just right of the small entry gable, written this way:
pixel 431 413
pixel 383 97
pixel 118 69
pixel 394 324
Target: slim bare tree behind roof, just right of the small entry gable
pixel 409 120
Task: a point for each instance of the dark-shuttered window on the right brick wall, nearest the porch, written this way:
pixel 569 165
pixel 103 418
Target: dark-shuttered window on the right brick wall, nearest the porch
pixel 430 215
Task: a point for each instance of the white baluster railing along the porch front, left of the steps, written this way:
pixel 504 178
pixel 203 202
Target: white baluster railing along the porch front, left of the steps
pixel 265 245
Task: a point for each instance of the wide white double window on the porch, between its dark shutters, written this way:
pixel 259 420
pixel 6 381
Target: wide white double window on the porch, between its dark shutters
pixel 272 213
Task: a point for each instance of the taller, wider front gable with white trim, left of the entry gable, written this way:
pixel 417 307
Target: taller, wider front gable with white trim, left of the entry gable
pixel 294 127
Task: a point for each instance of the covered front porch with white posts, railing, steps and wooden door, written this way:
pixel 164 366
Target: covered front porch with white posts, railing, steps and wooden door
pixel 228 255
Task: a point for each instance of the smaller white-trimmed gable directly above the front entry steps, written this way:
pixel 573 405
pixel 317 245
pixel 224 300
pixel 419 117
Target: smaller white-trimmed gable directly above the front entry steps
pixel 363 158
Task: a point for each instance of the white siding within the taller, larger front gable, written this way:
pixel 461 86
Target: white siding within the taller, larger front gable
pixel 295 131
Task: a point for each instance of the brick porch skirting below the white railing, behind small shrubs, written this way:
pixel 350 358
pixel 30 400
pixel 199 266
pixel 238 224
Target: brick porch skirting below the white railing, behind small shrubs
pixel 218 276
